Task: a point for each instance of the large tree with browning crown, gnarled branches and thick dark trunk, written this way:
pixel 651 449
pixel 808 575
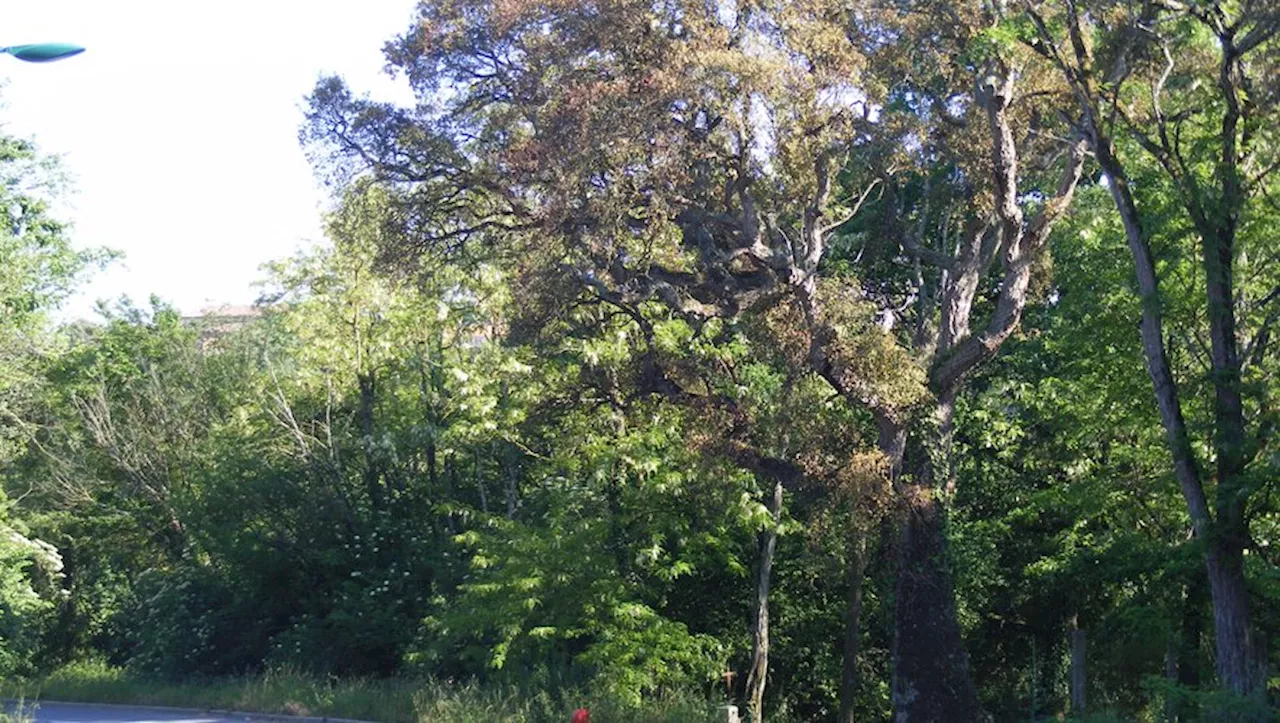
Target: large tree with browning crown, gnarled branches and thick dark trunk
pixel 725 158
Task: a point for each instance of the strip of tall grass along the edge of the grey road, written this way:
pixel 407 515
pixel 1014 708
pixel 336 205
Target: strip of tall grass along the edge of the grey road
pixel 391 702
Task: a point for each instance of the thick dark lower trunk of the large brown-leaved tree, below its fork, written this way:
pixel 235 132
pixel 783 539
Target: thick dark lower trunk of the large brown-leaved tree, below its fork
pixel 931 666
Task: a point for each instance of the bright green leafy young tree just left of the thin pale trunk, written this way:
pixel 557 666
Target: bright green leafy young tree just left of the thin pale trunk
pixel 623 524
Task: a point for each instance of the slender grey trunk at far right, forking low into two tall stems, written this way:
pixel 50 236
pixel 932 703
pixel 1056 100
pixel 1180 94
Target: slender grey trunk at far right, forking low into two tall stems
pixel 1215 218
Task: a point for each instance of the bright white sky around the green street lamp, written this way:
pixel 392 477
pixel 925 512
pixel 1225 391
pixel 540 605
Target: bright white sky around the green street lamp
pixel 179 129
